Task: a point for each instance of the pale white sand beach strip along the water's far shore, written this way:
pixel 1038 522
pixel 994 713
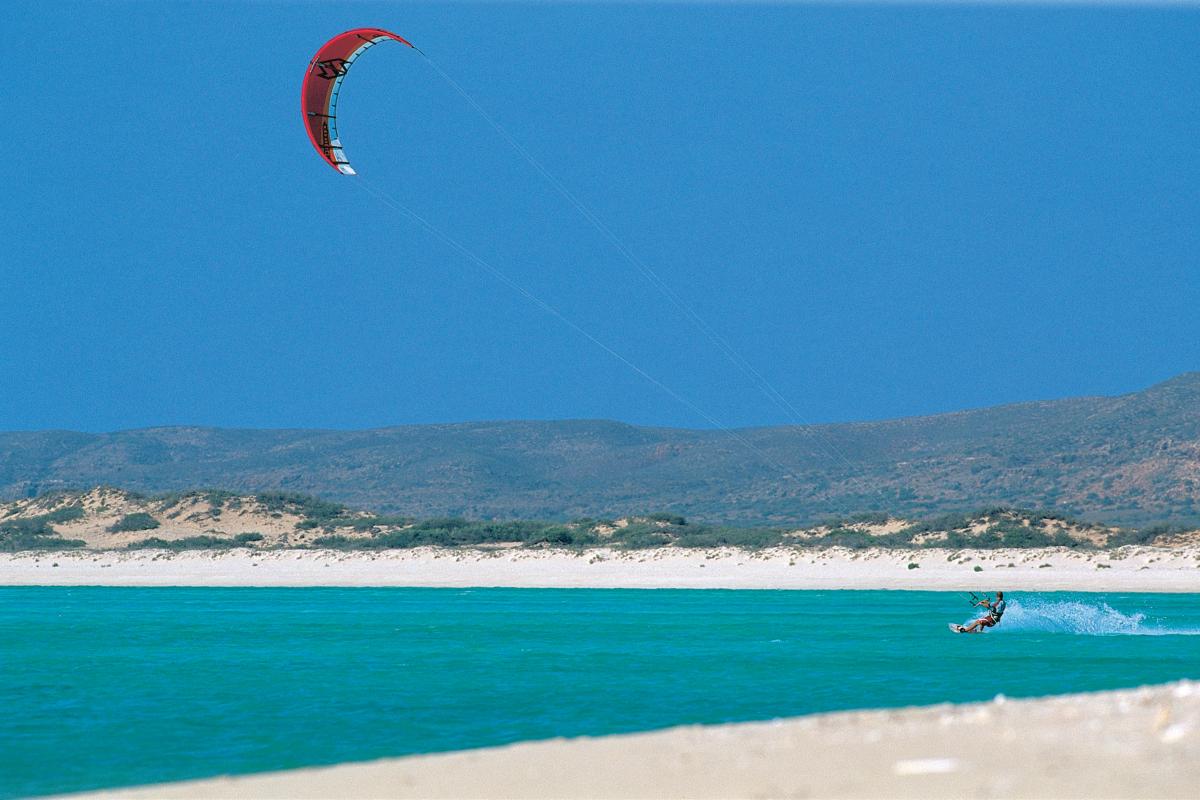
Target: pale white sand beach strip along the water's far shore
pixel 1131 569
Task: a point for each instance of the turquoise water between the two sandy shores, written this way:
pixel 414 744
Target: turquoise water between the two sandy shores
pixel 118 687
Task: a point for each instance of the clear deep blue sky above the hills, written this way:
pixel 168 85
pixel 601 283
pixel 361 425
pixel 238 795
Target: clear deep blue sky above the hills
pixel 886 210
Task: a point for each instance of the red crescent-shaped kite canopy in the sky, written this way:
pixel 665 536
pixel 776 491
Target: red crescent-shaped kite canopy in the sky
pixel 323 82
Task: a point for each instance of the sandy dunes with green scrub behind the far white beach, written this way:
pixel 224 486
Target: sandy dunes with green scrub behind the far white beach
pixel 215 520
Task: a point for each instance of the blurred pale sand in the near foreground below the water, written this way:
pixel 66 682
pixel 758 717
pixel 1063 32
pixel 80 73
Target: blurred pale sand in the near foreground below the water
pixel 1142 743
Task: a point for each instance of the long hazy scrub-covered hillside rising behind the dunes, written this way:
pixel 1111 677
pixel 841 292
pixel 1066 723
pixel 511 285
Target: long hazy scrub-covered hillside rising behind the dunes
pixel 1132 460
